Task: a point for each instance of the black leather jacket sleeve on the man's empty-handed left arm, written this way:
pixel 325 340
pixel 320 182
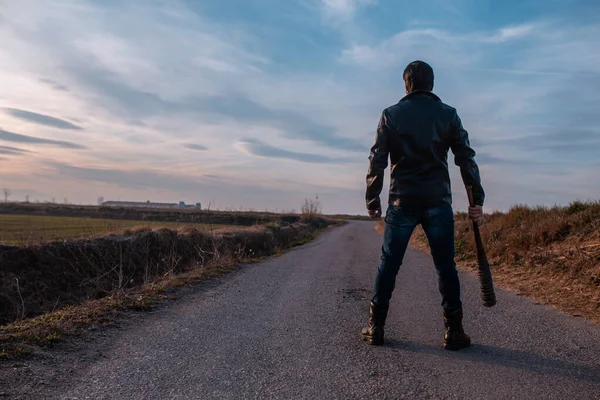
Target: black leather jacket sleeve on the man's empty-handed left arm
pixel 378 161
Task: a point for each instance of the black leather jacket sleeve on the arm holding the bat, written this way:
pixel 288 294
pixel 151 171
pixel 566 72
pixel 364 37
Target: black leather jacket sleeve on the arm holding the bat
pixel 464 157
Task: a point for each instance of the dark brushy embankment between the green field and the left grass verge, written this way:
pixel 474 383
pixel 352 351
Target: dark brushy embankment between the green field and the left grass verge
pixel 39 279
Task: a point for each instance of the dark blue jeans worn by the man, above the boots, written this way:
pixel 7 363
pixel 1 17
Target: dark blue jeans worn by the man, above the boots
pixel 438 224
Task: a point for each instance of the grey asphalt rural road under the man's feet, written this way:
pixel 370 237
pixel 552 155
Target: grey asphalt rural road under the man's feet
pixel 288 328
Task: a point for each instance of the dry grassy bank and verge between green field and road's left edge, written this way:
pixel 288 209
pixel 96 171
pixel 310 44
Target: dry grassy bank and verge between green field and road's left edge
pixel 54 291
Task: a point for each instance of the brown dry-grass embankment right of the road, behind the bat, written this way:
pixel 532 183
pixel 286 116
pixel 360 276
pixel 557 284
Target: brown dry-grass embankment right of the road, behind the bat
pixel 549 254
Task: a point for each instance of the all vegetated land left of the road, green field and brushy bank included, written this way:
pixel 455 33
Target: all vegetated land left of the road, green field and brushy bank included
pixel 62 284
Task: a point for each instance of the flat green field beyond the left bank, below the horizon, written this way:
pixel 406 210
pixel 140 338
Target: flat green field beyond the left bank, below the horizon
pixel 33 229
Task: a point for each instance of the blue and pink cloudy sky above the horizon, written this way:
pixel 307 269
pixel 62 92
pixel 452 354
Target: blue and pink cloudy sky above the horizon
pixel 259 104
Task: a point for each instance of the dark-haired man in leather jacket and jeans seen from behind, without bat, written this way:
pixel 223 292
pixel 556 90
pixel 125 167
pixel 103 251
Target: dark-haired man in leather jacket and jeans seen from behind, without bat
pixel 416 135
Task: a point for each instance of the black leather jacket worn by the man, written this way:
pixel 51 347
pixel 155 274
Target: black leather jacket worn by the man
pixel 416 135
